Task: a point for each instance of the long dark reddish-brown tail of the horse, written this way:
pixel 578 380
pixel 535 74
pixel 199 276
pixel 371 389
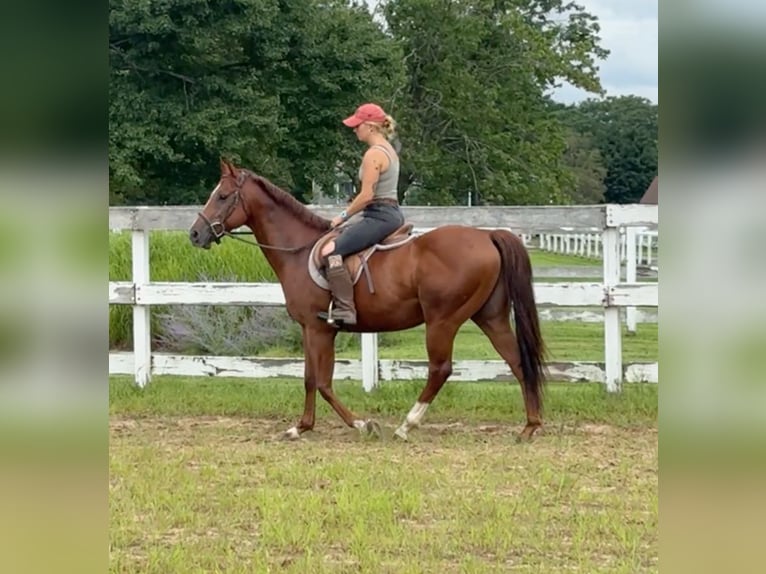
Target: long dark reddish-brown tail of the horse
pixel 517 274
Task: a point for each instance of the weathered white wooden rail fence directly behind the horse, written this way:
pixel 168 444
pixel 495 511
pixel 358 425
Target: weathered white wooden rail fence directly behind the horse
pixel 611 293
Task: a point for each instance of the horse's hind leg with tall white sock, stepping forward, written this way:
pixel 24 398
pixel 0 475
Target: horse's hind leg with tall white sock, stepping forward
pixel 440 338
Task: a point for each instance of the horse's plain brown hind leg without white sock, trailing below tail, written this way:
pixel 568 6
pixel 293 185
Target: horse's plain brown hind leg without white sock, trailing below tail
pixel 497 327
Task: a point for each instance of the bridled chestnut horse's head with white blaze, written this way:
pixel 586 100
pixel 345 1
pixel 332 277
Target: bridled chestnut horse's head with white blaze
pixel 224 209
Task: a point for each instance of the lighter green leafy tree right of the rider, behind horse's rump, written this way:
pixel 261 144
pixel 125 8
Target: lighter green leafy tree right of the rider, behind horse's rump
pixel 474 114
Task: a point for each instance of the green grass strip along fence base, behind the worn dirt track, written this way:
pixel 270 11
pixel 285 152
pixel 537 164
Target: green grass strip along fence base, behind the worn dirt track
pixel 473 402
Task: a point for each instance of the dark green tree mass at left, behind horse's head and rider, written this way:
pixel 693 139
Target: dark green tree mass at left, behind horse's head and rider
pixel 263 83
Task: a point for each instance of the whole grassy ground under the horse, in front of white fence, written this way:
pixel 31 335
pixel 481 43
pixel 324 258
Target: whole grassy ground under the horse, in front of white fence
pixel 198 482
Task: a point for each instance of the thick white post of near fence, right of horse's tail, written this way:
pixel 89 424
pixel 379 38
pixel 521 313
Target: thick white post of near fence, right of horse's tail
pixel 612 336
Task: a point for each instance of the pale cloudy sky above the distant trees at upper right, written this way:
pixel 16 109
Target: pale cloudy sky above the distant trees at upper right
pixel 629 32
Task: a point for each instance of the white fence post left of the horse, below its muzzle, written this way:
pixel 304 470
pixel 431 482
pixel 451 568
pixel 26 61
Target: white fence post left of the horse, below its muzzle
pixel 142 336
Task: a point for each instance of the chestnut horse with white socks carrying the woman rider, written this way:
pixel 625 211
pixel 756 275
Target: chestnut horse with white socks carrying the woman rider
pixel 441 278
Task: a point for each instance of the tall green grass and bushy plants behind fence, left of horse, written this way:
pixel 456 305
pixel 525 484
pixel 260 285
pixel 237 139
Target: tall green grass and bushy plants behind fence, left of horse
pixel 205 329
